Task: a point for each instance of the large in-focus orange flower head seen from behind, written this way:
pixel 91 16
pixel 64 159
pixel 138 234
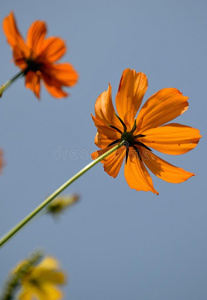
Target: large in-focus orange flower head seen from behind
pixel 142 132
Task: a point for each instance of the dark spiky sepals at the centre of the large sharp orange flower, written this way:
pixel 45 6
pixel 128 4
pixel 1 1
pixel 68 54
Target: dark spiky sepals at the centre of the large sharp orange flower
pixel 130 140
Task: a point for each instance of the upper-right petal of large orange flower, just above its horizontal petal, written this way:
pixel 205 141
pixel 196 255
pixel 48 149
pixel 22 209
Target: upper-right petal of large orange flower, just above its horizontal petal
pixel 161 108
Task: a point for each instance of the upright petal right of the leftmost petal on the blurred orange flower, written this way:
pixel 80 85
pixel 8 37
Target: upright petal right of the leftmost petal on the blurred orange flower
pixel 35 36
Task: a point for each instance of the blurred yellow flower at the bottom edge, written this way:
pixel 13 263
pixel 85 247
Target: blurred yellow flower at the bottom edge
pixel 40 282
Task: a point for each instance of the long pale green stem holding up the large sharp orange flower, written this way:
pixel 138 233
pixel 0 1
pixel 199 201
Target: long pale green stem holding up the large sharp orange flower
pixel 29 217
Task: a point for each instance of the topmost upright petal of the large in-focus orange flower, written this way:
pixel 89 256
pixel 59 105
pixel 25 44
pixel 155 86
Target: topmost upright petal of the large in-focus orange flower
pixel 132 88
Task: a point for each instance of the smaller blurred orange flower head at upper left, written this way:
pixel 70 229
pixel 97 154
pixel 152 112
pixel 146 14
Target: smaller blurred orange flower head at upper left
pixel 37 57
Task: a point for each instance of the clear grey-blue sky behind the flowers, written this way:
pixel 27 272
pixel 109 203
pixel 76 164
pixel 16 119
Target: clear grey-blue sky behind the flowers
pixel 116 243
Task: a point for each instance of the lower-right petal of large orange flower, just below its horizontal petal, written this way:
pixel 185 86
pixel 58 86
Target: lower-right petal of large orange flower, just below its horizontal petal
pixel 166 171
